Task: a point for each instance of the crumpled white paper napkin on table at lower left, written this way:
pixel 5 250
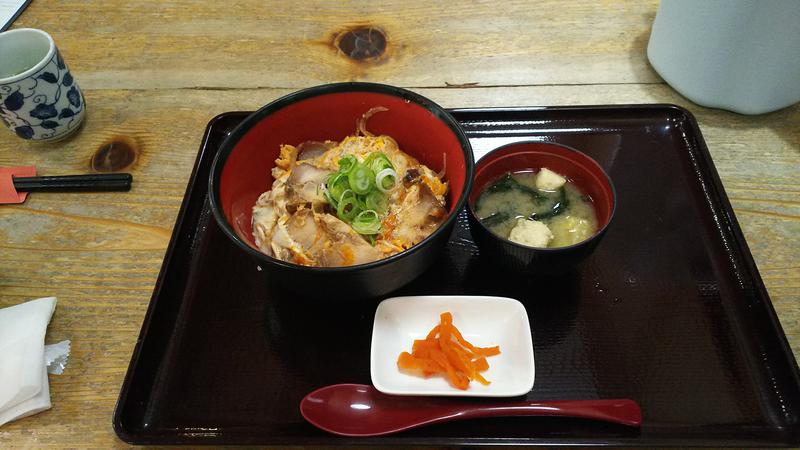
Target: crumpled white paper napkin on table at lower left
pixel 24 388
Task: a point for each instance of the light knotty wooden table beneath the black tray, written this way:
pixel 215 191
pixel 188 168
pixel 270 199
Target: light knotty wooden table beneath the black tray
pixel 155 72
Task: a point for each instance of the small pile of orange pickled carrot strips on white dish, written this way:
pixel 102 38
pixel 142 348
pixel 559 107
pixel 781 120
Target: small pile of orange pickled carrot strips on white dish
pixel 444 351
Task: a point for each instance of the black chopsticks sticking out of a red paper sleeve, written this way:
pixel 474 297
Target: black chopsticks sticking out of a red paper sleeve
pixel 104 182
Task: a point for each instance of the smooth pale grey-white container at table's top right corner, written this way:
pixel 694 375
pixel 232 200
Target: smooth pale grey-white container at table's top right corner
pixel 739 55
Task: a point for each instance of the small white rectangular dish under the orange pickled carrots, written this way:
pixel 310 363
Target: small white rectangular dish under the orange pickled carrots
pixel 484 322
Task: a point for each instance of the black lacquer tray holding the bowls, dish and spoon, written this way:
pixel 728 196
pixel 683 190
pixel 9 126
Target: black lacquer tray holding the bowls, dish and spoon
pixel 669 310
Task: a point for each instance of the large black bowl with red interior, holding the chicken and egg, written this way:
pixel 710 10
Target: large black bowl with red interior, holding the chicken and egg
pixel 242 168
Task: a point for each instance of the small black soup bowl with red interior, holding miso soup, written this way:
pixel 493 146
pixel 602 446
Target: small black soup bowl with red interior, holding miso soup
pixel 582 170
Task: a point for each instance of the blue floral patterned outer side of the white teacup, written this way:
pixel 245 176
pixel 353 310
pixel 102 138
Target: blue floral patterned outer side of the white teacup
pixel 45 105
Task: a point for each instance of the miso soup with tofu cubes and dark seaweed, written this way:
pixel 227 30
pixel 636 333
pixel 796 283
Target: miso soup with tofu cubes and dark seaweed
pixel 537 208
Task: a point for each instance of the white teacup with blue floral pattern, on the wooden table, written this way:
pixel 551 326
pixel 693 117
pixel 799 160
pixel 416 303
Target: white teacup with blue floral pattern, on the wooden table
pixel 39 98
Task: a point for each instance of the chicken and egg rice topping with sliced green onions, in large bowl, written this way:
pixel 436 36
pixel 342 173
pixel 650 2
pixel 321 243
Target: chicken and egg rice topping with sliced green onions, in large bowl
pixel 346 203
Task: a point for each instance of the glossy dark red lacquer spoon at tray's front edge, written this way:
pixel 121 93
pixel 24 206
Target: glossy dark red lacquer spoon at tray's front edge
pixel 361 410
